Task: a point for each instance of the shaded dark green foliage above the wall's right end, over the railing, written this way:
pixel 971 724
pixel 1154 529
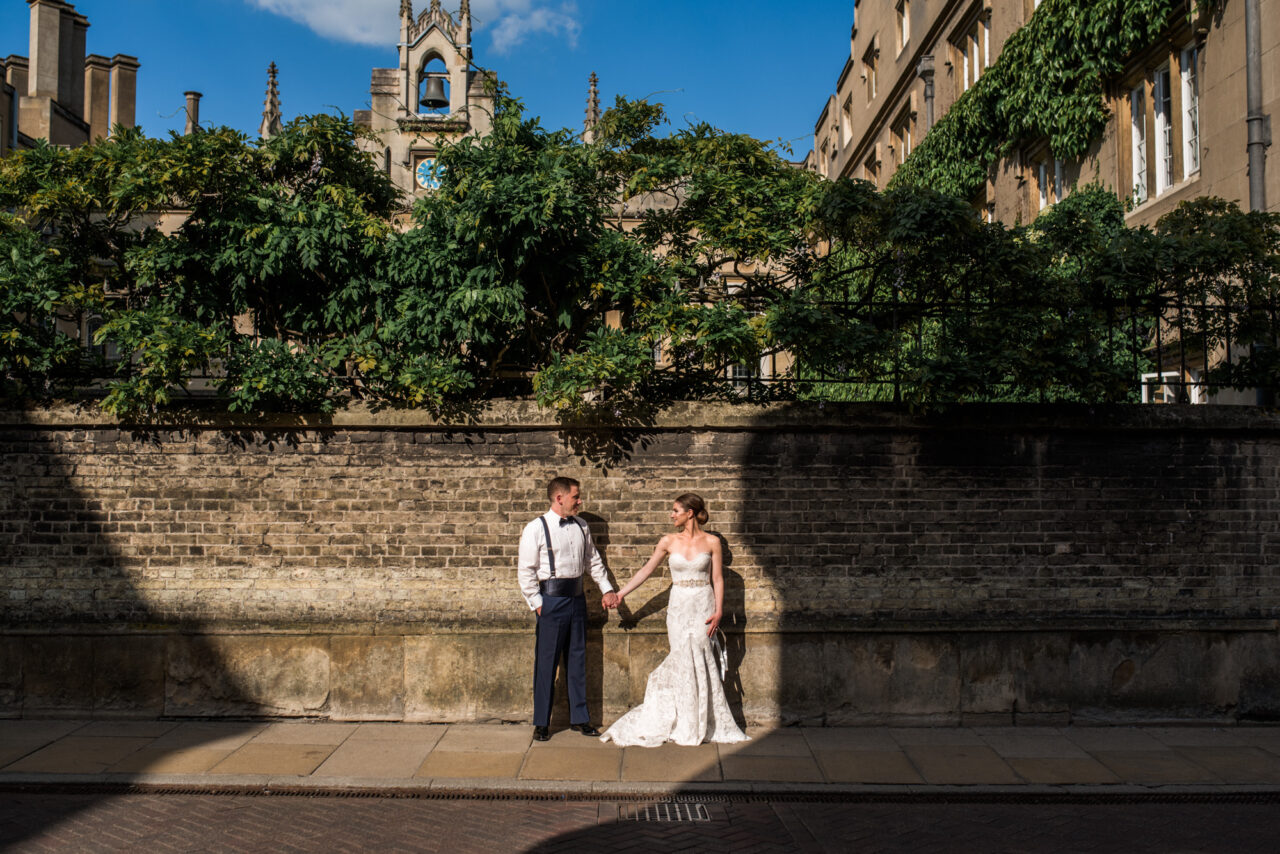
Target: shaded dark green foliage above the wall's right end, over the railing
pixel 920 299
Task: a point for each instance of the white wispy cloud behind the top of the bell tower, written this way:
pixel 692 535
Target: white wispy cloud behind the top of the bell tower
pixel 377 22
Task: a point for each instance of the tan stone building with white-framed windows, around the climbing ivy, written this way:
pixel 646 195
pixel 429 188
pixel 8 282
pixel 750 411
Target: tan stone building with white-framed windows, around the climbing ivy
pixel 1178 112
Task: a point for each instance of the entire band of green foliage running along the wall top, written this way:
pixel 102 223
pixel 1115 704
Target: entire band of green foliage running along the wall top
pixel 547 267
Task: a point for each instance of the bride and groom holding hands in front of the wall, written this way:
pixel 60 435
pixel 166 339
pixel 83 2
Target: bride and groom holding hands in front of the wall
pixel 684 700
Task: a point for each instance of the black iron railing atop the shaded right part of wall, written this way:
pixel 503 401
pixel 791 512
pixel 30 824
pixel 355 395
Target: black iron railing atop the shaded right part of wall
pixel 1159 350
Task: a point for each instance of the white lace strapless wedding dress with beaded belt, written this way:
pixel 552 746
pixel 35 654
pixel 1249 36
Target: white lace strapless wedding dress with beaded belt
pixel 684 701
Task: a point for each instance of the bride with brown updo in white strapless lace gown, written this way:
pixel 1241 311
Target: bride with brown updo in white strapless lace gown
pixel 684 701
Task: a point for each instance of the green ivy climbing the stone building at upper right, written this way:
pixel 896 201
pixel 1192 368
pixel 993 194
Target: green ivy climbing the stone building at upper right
pixel 1048 84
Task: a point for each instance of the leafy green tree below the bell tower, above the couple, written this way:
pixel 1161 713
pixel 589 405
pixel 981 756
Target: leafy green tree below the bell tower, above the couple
pixel 564 264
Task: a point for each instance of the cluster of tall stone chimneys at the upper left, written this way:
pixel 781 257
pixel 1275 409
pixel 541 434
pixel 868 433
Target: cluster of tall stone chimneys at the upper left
pixel 58 93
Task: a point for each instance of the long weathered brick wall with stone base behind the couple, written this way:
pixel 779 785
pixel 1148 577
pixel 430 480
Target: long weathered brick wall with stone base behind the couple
pixel 990 561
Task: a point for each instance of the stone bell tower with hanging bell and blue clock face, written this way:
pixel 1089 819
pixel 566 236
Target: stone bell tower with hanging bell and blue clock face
pixel 436 93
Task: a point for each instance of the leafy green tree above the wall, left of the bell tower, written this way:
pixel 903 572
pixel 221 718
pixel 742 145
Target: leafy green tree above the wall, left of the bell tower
pixel 260 286
